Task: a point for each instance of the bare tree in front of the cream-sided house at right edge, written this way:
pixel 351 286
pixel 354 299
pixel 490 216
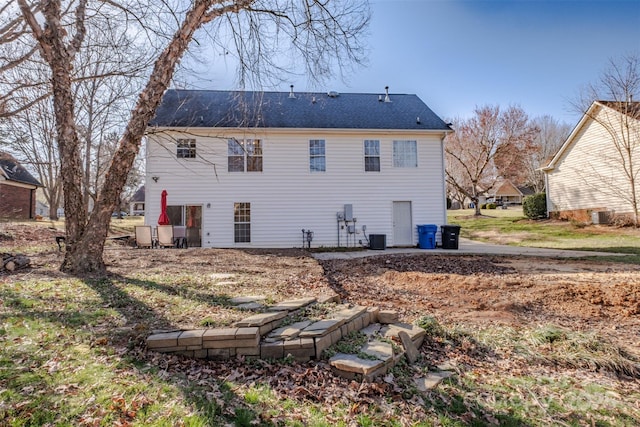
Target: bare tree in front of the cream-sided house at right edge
pixel 609 103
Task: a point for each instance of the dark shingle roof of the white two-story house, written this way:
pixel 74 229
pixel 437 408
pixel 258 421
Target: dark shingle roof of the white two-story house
pixel 187 108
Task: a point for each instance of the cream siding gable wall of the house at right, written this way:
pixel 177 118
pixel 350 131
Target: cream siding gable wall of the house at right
pixel 589 175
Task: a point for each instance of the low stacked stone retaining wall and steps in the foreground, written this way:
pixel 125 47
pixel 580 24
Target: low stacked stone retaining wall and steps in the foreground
pixel 267 335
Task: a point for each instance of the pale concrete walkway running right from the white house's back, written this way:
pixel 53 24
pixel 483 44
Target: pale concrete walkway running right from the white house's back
pixel 468 247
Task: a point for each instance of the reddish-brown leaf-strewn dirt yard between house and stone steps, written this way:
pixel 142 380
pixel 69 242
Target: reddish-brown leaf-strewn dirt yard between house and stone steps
pixel 467 290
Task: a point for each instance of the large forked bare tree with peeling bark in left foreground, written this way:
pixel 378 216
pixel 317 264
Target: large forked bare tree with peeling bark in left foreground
pixel 320 33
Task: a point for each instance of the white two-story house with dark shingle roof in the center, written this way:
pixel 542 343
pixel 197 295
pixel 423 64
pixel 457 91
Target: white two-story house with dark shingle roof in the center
pixel 259 169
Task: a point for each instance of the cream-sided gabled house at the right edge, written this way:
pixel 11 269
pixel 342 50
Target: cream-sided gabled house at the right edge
pixel 587 173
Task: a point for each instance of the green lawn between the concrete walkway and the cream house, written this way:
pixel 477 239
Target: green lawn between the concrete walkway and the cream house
pixel 510 227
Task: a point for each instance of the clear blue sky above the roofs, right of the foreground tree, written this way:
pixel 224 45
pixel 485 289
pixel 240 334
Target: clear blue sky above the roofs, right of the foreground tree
pixel 459 54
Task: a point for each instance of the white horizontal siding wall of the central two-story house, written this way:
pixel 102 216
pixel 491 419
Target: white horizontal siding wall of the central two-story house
pixel 286 197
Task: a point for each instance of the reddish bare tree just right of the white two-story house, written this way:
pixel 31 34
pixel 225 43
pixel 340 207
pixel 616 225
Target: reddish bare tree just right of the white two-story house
pixel 484 149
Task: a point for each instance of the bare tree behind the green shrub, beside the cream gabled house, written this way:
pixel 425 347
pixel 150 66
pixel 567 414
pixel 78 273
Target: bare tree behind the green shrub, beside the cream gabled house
pixel 548 141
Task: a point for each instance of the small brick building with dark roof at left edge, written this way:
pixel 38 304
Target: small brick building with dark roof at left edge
pixel 17 189
